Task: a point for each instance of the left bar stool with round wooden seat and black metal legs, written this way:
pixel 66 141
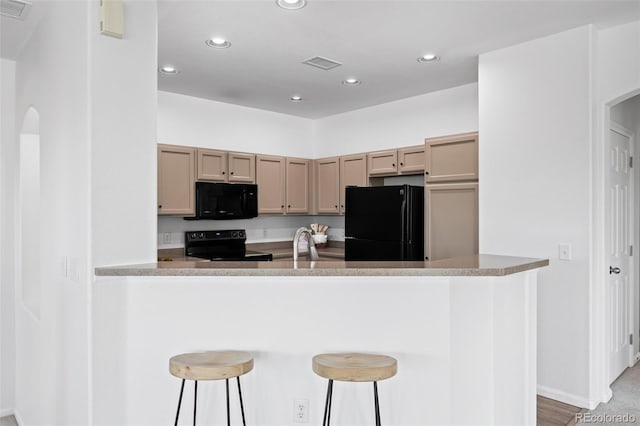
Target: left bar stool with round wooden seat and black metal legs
pixel 215 365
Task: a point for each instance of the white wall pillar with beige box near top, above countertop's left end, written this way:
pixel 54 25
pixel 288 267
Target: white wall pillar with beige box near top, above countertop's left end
pixel 123 139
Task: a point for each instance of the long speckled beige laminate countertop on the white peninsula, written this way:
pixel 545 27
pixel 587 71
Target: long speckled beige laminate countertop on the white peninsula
pixel 476 265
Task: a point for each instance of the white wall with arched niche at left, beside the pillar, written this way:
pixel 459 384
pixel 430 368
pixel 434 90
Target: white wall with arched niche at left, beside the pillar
pixel 47 348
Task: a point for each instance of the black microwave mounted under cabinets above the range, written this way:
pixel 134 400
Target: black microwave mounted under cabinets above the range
pixel 226 200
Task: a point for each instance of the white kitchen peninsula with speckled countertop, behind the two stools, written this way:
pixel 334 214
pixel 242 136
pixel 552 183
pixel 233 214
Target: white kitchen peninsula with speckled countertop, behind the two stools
pixel 463 331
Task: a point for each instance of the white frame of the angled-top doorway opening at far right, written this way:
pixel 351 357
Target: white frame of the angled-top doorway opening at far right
pixel 599 360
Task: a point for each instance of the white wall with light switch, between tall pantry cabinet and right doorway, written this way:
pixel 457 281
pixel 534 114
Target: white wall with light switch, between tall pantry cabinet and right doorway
pixel 534 174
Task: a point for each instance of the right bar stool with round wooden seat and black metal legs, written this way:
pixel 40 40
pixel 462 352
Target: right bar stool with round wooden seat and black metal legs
pixel 353 367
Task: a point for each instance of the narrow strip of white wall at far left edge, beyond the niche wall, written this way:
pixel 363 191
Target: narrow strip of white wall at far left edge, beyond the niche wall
pixel 7 214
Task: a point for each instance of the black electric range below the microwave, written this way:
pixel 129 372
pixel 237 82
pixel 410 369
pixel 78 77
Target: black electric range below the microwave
pixel 225 245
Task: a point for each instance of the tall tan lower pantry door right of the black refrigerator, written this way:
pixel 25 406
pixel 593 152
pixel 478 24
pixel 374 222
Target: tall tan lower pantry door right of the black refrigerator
pixel 451 220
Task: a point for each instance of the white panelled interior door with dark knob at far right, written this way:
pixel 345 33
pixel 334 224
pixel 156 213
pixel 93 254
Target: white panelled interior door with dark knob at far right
pixel 619 218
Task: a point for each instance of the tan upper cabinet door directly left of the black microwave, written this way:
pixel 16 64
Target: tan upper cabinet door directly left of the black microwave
pixel 176 177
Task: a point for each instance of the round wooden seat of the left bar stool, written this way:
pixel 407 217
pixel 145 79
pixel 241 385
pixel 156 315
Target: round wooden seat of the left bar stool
pixel 214 365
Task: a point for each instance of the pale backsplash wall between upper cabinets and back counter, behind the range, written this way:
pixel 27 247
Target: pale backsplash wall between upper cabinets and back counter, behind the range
pixel 260 229
